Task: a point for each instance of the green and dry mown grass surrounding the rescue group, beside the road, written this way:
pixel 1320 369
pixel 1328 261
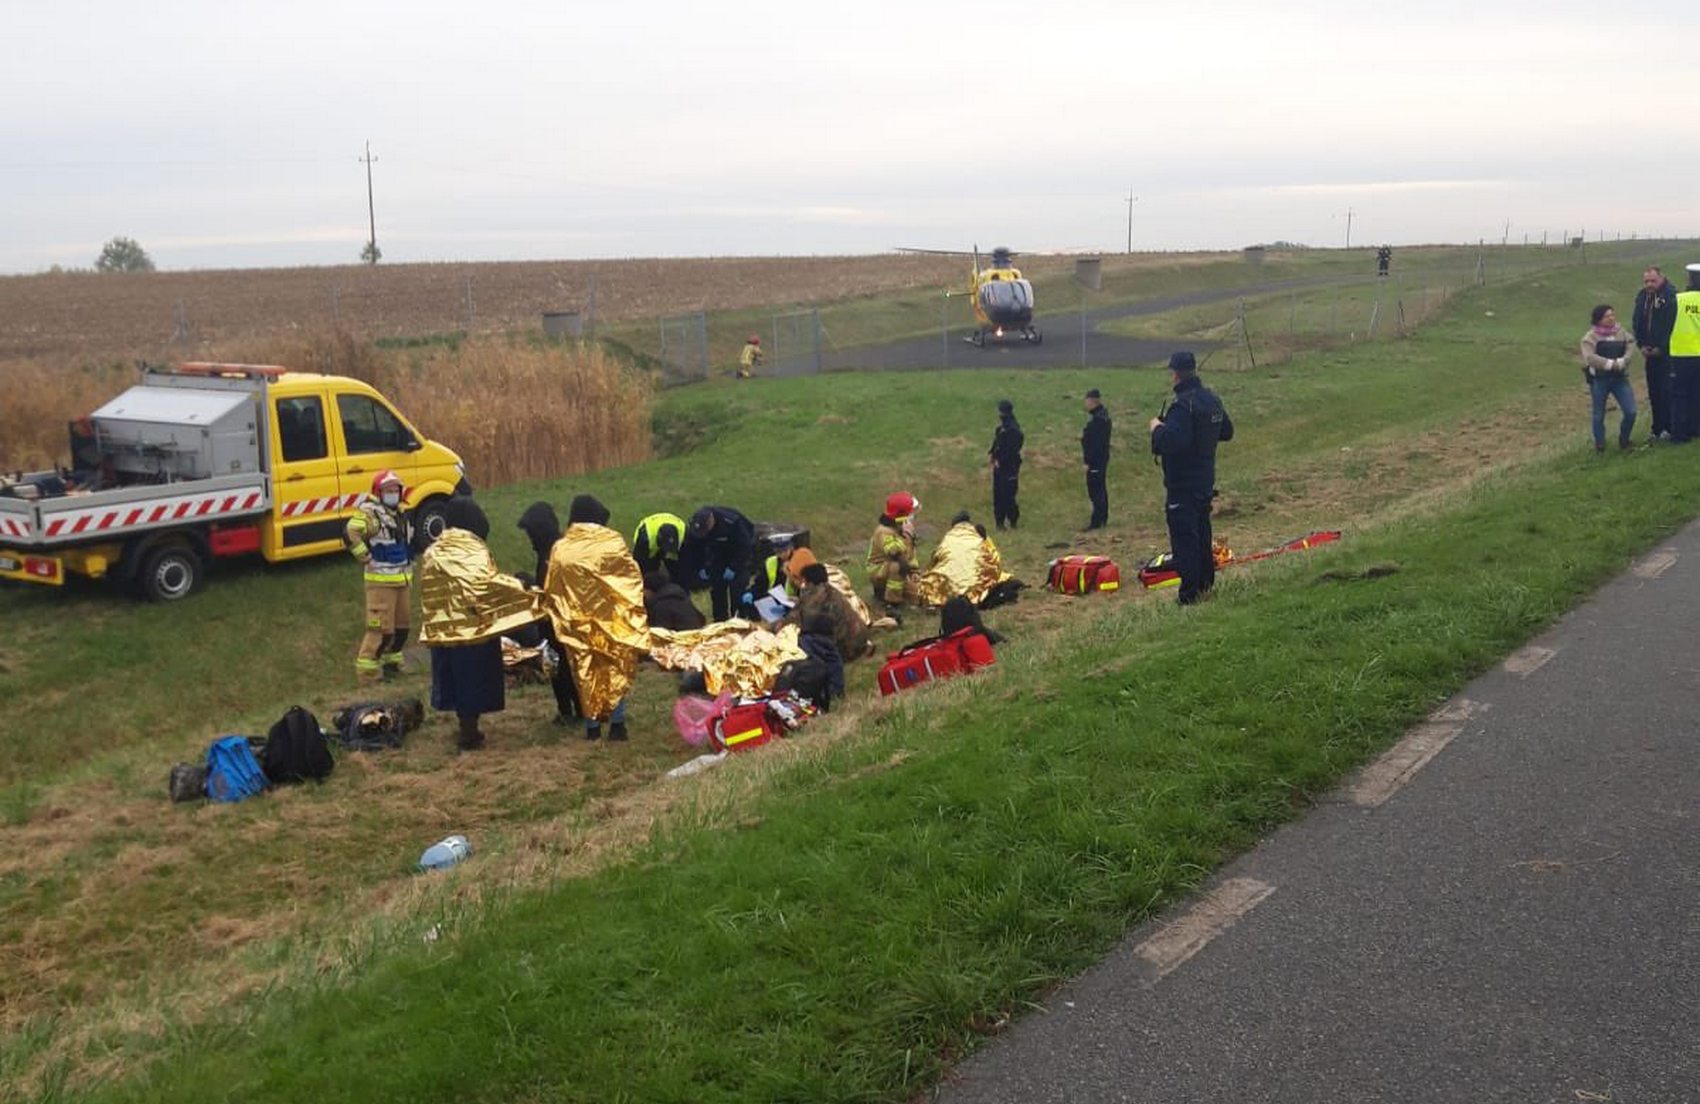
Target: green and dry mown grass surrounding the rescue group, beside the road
pixel 863 904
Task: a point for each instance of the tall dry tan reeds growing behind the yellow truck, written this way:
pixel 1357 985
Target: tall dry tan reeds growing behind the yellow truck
pixel 513 409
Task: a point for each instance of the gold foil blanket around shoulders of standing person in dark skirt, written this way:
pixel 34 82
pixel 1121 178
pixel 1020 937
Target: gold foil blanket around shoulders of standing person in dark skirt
pixel 465 596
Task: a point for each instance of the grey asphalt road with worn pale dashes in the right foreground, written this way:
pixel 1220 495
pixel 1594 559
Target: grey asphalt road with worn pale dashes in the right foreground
pixel 1519 921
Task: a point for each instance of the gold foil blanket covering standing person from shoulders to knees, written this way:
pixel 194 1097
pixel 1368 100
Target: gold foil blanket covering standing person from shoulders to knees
pixel 596 605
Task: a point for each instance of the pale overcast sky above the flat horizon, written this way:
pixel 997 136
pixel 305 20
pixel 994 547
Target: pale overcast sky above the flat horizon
pixel 229 135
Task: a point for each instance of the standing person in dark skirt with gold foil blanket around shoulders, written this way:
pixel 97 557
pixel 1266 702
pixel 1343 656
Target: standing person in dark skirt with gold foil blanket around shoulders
pixel 468 606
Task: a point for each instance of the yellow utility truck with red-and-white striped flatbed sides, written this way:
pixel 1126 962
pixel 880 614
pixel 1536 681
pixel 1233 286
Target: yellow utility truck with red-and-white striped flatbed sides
pixel 205 462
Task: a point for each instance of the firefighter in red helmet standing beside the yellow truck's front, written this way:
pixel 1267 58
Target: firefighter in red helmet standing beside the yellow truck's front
pixel 382 540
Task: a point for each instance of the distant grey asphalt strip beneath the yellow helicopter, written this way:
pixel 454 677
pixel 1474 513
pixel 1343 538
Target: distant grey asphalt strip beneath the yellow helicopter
pixel 1063 344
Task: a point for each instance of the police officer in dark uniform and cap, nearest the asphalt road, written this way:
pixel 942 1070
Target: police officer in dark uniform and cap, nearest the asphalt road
pixel 1186 441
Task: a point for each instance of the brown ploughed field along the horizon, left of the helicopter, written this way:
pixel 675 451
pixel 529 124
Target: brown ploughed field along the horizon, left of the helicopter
pixel 125 317
